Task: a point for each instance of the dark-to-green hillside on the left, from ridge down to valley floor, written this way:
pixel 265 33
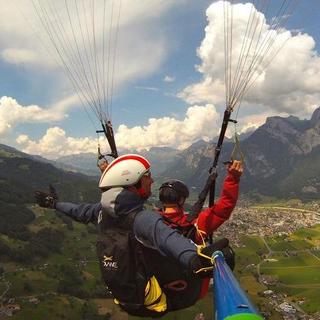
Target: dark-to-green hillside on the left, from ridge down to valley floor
pixel 40 251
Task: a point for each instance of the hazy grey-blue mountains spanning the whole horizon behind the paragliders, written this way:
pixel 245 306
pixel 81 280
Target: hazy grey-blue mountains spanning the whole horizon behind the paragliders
pixel 281 157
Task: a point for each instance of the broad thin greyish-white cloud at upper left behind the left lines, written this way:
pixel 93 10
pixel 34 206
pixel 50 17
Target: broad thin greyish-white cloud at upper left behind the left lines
pixel 139 23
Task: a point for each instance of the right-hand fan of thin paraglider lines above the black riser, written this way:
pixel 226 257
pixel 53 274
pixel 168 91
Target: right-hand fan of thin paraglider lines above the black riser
pixel 251 45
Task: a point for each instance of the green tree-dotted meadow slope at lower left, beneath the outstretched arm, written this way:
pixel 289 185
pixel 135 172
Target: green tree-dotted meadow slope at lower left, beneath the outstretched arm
pixel 63 281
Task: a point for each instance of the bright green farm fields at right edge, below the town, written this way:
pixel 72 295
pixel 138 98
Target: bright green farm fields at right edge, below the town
pixel 298 268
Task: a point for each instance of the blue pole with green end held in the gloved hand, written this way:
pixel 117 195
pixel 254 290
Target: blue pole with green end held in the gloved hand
pixel 231 302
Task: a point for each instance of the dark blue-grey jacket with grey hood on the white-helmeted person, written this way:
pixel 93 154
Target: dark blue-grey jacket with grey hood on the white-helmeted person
pixel 148 227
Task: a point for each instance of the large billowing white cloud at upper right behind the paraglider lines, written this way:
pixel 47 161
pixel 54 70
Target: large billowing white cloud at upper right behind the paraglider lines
pixel 290 84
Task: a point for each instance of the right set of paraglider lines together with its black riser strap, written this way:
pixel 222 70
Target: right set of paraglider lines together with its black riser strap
pixel 250 46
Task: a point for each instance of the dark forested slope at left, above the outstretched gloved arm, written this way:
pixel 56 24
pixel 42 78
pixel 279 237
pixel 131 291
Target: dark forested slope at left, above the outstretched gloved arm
pixel 21 174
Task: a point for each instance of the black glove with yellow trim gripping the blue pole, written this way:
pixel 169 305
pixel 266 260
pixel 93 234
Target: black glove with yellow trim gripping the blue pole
pixel 200 262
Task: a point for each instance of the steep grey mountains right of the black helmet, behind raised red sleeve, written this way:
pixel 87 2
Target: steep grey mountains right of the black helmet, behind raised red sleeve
pixel 282 159
